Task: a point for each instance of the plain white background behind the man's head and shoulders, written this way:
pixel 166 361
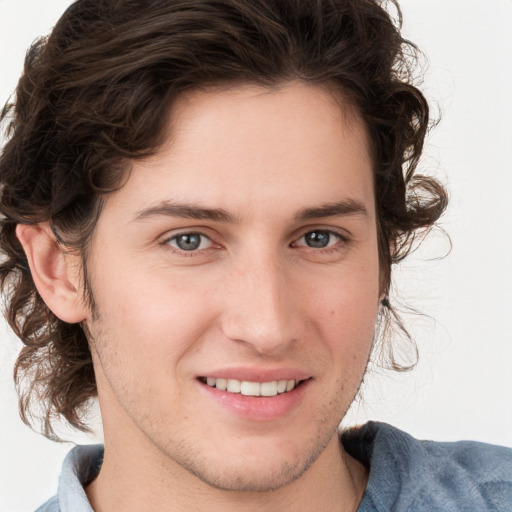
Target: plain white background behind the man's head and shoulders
pixel 462 385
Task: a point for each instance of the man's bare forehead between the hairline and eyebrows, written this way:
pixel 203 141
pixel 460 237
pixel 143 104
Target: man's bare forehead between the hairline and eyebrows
pixel 236 146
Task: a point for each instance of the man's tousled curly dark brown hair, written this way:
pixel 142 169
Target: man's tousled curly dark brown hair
pixel 91 99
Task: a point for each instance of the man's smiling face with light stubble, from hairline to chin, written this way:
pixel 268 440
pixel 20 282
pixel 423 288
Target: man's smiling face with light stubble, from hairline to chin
pixel 236 283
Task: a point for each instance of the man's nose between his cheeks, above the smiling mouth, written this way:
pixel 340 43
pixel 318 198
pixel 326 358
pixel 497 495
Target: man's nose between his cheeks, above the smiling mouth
pixel 262 306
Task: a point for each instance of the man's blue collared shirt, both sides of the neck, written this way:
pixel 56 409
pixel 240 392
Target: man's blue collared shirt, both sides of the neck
pixel 405 474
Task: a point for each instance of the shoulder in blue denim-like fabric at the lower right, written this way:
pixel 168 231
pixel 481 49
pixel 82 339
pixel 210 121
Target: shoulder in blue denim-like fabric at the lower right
pixel 408 474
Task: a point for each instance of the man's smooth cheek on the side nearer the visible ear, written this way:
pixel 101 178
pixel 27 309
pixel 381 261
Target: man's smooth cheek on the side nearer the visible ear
pixel 154 315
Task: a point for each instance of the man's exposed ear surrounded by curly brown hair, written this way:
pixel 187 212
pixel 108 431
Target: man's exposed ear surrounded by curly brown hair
pixel 55 272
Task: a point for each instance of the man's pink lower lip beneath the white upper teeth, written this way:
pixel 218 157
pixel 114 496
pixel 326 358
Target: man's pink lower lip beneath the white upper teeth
pixel 254 408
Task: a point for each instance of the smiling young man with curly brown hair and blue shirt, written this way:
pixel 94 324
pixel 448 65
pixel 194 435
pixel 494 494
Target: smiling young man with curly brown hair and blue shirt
pixel 202 203
